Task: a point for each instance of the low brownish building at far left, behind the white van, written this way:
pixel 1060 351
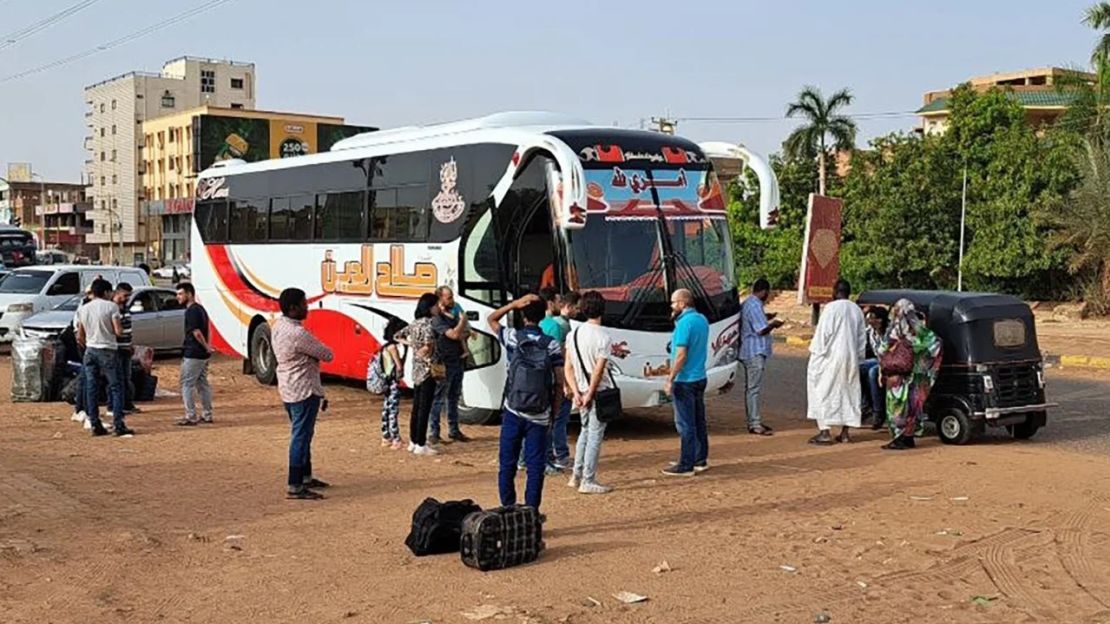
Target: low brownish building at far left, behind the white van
pixel 59 223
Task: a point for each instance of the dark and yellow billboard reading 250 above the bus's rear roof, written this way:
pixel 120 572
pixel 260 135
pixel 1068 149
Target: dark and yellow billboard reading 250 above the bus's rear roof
pixel 218 138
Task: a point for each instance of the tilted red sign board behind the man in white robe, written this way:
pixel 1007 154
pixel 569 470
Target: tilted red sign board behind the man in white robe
pixel 821 256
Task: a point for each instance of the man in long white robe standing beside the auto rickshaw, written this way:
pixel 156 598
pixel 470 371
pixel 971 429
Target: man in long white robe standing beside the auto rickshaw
pixel 833 377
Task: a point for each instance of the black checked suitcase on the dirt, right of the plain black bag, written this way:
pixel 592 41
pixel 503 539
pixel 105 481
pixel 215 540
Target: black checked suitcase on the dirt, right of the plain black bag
pixel 502 538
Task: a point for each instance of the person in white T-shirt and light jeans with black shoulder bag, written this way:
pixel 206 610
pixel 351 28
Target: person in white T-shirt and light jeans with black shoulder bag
pixel 587 373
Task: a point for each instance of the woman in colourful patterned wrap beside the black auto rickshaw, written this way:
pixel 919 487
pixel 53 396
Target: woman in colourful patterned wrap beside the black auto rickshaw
pixel 906 395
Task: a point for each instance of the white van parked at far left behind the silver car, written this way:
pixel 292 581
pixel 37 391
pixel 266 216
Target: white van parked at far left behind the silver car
pixel 35 289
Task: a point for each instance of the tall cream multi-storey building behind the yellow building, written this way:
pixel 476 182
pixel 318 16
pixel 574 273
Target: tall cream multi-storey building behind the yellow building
pixel 118 107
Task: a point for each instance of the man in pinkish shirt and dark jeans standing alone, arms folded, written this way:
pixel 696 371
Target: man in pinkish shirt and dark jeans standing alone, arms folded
pixel 299 355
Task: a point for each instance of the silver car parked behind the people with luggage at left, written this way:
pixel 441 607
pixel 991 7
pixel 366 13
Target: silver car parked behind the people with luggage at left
pixel 157 319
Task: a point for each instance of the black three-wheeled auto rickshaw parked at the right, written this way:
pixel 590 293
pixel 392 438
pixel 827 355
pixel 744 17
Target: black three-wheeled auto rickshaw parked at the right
pixel 992 374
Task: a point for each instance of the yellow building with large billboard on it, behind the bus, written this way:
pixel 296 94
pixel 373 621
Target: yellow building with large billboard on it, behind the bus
pixel 178 147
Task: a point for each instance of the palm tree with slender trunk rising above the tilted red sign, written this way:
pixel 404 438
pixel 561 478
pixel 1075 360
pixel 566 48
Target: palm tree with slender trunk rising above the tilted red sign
pixel 823 123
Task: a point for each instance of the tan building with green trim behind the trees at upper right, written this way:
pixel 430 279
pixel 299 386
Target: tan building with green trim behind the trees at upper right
pixel 1037 90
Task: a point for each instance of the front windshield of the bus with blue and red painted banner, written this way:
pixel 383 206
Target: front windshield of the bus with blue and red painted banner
pixel 620 251
